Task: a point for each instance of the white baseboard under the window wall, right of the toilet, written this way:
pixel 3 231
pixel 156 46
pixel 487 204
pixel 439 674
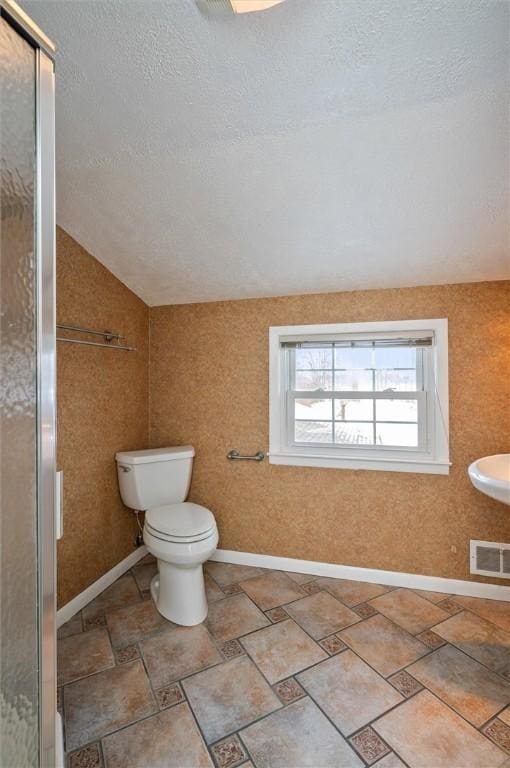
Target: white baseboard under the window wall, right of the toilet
pixel 392 578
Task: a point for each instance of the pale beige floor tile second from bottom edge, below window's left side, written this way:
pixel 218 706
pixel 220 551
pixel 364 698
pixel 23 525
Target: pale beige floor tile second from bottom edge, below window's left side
pixel 282 649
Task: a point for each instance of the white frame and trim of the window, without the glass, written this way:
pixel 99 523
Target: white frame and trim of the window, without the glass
pixel 430 458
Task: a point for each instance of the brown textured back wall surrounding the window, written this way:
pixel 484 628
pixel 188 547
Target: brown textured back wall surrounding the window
pixel 209 387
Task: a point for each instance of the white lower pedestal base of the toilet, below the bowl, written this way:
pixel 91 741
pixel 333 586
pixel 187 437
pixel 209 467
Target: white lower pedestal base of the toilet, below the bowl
pixel 179 593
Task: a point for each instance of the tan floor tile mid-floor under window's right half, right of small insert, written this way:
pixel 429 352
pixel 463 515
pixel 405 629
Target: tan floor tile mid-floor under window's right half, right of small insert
pixel 384 645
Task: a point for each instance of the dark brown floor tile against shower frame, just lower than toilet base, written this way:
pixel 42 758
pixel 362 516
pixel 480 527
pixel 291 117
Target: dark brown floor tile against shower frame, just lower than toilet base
pixel 83 654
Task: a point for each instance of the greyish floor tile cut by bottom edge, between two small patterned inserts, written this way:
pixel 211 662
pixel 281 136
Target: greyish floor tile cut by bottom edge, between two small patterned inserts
pixel 298 735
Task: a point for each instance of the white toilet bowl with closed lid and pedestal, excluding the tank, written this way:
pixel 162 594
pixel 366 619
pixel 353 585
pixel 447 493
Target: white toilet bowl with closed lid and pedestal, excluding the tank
pixel 181 537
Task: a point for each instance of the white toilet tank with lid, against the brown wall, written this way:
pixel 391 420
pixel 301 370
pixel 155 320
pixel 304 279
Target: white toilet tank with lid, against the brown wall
pixel 154 477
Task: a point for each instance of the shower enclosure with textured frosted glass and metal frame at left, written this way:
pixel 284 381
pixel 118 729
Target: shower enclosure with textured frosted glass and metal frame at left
pixel 27 401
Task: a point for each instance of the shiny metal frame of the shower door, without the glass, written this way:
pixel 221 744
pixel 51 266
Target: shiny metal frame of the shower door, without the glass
pixel 44 238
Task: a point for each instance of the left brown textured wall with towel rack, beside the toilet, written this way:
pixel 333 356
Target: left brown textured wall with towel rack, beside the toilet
pixel 102 408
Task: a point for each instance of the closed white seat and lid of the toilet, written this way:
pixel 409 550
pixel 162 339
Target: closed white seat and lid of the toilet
pixel 180 523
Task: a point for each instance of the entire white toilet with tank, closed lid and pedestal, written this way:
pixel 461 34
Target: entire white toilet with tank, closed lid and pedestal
pixel 179 534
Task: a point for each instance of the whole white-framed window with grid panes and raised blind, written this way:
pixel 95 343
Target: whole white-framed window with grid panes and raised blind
pixel 362 395
